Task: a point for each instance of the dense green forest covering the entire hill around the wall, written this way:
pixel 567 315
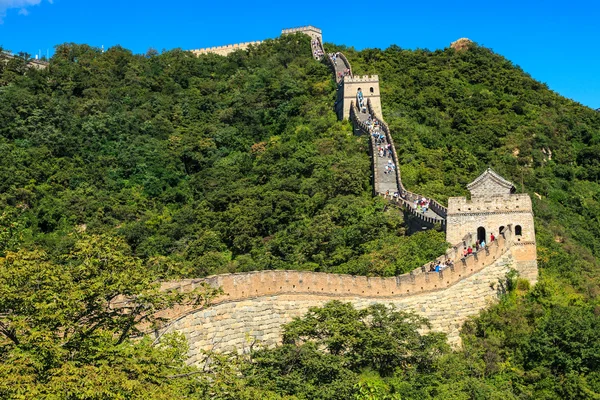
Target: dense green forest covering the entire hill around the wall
pixel 119 169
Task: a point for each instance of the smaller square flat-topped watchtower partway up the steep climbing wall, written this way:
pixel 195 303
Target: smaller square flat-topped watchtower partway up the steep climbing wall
pixel 349 88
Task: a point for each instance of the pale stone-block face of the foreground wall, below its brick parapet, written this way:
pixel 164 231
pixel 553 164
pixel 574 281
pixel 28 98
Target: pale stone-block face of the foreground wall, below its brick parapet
pixel 235 325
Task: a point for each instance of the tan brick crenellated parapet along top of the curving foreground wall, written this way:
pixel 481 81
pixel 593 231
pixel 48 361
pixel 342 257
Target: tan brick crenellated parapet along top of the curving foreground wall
pixel 251 285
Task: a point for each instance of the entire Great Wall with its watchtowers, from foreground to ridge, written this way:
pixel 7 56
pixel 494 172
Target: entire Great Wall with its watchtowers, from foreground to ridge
pixel 255 305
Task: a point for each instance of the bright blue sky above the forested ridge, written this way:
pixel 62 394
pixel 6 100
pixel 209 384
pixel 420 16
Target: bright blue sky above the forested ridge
pixel 556 42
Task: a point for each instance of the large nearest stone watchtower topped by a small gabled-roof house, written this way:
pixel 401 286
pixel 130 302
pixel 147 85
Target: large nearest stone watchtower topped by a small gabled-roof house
pixel 494 207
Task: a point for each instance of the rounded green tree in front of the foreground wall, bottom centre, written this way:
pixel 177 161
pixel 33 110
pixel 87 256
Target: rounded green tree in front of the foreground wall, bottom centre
pixel 324 352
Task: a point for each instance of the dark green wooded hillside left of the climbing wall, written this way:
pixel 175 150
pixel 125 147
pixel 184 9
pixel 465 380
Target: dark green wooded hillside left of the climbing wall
pixel 220 164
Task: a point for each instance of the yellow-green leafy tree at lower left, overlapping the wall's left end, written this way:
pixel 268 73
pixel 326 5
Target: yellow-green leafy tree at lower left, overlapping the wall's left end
pixel 67 326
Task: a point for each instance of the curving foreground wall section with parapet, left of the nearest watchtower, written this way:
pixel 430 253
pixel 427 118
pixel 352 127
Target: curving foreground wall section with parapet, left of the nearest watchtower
pixel 256 304
